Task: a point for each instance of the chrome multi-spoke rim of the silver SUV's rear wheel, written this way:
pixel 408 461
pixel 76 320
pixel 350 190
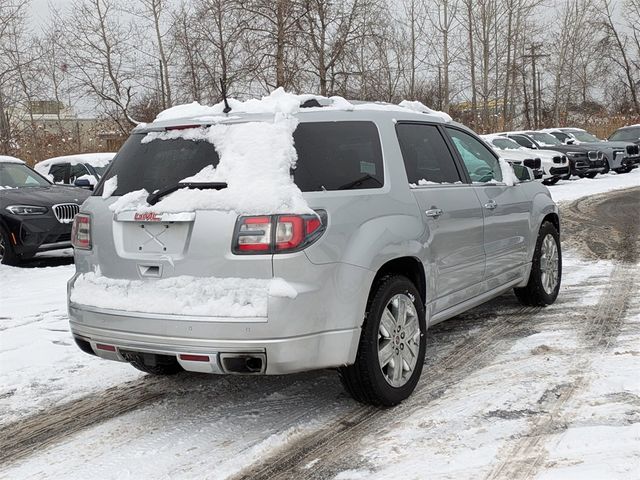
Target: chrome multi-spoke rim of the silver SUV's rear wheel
pixel 398 340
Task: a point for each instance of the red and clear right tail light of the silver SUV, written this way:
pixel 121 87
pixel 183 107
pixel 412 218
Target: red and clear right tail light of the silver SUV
pixel 277 233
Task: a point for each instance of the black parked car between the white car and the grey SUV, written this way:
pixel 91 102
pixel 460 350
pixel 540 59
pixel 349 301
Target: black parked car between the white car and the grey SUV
pixel 583 161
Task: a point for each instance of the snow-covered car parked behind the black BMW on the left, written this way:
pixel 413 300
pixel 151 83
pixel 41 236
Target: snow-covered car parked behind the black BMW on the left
pixel 82 170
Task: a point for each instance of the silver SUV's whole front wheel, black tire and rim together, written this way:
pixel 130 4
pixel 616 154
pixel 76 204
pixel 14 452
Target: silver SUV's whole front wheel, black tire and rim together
pixel 546 269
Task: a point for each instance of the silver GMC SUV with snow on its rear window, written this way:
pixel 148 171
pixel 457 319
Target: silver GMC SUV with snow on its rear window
pixel 411 220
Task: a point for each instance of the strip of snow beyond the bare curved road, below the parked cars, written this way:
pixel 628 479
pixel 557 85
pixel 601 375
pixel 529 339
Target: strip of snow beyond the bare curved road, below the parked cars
pixel 569 190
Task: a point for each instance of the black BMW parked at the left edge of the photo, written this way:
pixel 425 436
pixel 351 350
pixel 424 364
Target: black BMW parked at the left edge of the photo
pixel 35 215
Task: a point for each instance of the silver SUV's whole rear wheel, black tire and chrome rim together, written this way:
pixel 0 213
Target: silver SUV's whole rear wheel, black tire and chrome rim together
pixel 392 345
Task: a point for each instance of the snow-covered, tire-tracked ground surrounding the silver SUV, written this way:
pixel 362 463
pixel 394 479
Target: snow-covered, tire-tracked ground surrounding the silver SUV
pixel 550 394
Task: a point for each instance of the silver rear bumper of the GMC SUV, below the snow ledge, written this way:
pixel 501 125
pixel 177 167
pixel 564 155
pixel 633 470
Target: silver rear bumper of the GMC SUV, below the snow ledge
pixel 319 328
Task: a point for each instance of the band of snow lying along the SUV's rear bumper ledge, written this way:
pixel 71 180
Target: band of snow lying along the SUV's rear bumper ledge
pixel 183 295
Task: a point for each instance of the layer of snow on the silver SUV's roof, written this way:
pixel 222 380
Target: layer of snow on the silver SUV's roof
pixel 281 102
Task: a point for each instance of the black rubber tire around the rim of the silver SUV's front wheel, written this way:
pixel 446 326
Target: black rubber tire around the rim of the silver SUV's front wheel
pixel 534 294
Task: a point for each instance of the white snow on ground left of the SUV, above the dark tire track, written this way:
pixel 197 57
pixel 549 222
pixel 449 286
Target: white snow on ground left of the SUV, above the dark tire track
pixel 40 365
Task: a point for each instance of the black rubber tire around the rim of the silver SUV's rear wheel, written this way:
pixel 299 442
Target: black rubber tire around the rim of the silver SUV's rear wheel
pixel 365 380
